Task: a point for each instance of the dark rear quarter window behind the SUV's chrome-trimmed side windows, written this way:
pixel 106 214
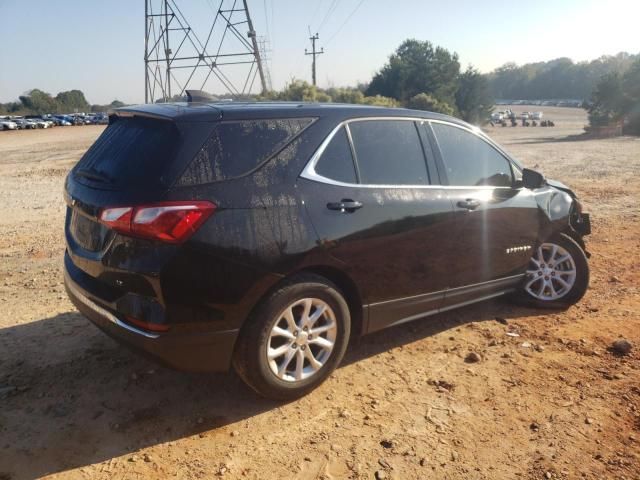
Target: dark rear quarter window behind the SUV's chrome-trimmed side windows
pixel 235 148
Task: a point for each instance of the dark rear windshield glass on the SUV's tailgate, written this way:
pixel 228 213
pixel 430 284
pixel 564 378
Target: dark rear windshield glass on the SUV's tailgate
pixel 130 152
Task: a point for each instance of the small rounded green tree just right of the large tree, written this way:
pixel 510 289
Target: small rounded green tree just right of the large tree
pixel 473 101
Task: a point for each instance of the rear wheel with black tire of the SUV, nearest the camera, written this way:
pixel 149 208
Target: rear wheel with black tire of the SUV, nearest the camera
pixel 295 339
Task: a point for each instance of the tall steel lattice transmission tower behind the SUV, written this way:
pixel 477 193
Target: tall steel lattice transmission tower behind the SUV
pixel 176 59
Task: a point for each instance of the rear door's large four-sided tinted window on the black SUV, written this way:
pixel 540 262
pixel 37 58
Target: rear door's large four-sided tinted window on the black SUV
pixel 389 152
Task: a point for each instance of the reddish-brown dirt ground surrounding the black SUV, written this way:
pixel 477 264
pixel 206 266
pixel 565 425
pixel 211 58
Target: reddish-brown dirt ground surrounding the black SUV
pixel 552 402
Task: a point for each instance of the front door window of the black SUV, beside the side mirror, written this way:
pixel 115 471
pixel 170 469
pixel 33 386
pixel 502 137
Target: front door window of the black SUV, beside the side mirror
pixel 469 160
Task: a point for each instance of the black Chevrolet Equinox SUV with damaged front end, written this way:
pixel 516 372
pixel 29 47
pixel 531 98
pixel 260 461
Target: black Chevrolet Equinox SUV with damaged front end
pixel 265 235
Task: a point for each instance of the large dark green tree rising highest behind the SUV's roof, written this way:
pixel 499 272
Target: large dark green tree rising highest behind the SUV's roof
pixel 417 67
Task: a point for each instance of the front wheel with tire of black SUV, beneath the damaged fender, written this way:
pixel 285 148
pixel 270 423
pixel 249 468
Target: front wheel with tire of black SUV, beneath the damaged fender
pixel 558 274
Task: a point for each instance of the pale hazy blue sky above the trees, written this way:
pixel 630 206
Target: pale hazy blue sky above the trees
pixel 98 46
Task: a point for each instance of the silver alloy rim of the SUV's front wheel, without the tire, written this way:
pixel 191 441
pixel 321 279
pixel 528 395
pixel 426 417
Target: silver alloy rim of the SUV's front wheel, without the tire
pixel 551 274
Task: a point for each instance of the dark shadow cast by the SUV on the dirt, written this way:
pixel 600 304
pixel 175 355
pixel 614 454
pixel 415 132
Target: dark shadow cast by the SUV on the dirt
pixel 79 398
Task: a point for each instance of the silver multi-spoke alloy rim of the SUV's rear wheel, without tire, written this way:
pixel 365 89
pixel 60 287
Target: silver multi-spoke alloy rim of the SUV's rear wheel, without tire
pixel 301 339
